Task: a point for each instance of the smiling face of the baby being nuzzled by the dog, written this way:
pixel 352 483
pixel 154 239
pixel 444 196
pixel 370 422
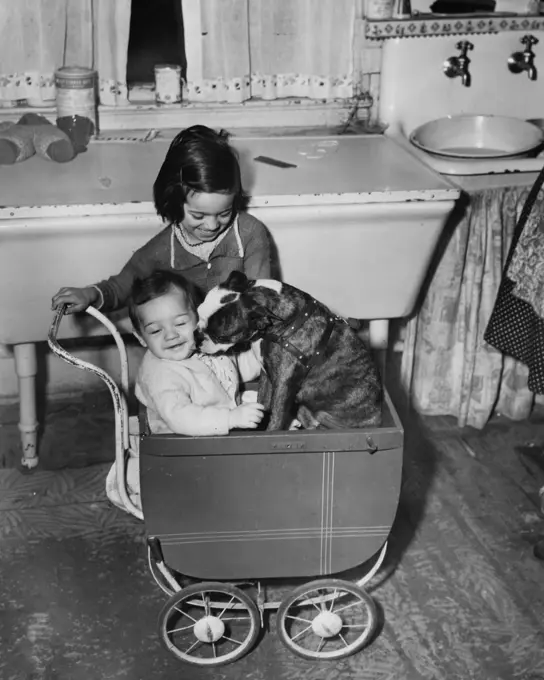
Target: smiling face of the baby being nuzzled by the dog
pixel 167 325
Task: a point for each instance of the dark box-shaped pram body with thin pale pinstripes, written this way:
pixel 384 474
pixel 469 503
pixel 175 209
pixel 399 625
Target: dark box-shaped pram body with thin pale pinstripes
pixel 272 504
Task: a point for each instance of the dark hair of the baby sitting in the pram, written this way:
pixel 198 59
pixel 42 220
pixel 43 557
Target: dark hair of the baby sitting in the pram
pixel 160 282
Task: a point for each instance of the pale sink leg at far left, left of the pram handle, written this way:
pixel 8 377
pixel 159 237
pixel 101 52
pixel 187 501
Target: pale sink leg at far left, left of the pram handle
pixel 26 367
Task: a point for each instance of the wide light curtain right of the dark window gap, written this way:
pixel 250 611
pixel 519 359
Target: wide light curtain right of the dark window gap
pixel 237 49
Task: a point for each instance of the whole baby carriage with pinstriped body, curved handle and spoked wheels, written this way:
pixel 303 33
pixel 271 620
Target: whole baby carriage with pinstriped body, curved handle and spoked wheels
pixel 226 515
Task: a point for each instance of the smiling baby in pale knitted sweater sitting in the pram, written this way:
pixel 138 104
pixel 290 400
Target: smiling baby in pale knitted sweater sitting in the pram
pixel 185 392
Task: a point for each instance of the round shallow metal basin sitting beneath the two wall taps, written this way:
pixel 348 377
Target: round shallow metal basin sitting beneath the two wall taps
pixel 478 137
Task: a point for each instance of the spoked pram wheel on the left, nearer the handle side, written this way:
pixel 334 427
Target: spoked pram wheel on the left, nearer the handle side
pixel 209 624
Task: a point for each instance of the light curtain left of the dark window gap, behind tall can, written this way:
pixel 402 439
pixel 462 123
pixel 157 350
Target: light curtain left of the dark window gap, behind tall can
pixel 39 36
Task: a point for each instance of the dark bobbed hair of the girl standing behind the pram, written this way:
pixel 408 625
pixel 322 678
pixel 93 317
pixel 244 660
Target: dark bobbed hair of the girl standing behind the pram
pixel 202 160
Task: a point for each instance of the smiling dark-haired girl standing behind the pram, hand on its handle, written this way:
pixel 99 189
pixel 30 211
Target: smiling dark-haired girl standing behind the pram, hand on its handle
pixel 198 193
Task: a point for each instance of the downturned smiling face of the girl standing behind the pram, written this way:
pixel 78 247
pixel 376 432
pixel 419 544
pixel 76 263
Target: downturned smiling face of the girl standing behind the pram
pixel 206 216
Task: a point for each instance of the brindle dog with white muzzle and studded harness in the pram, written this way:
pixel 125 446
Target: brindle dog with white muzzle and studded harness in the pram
pixel 316 368
